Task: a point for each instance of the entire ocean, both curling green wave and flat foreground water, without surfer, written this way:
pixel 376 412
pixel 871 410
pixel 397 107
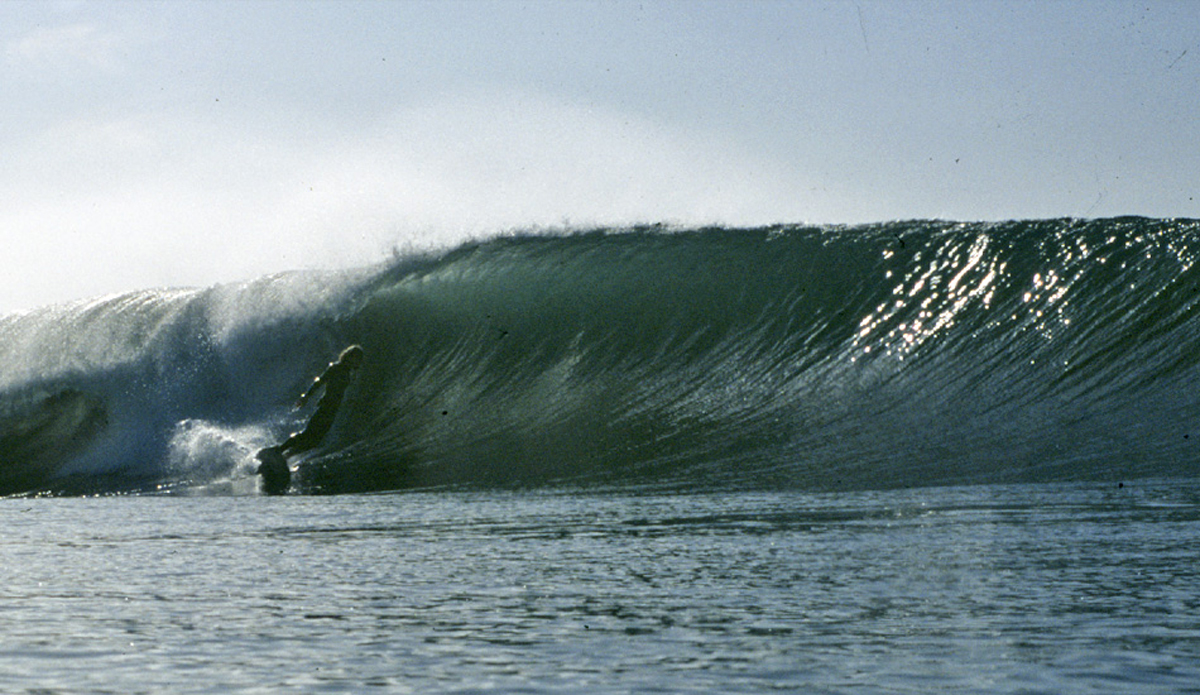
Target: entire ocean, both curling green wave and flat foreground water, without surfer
pixel 913 457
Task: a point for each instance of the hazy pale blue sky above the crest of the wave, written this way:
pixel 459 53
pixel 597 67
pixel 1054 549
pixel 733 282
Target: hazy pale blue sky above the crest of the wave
pixel 163 145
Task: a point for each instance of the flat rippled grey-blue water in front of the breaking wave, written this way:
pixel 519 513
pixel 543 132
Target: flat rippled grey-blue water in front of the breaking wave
pixel 1057 589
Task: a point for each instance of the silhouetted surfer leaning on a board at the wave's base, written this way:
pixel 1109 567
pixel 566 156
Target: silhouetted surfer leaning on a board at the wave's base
pixel 335 380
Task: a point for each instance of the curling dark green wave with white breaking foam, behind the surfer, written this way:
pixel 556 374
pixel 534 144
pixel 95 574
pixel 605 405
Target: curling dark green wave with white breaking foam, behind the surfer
pixel 793 357
